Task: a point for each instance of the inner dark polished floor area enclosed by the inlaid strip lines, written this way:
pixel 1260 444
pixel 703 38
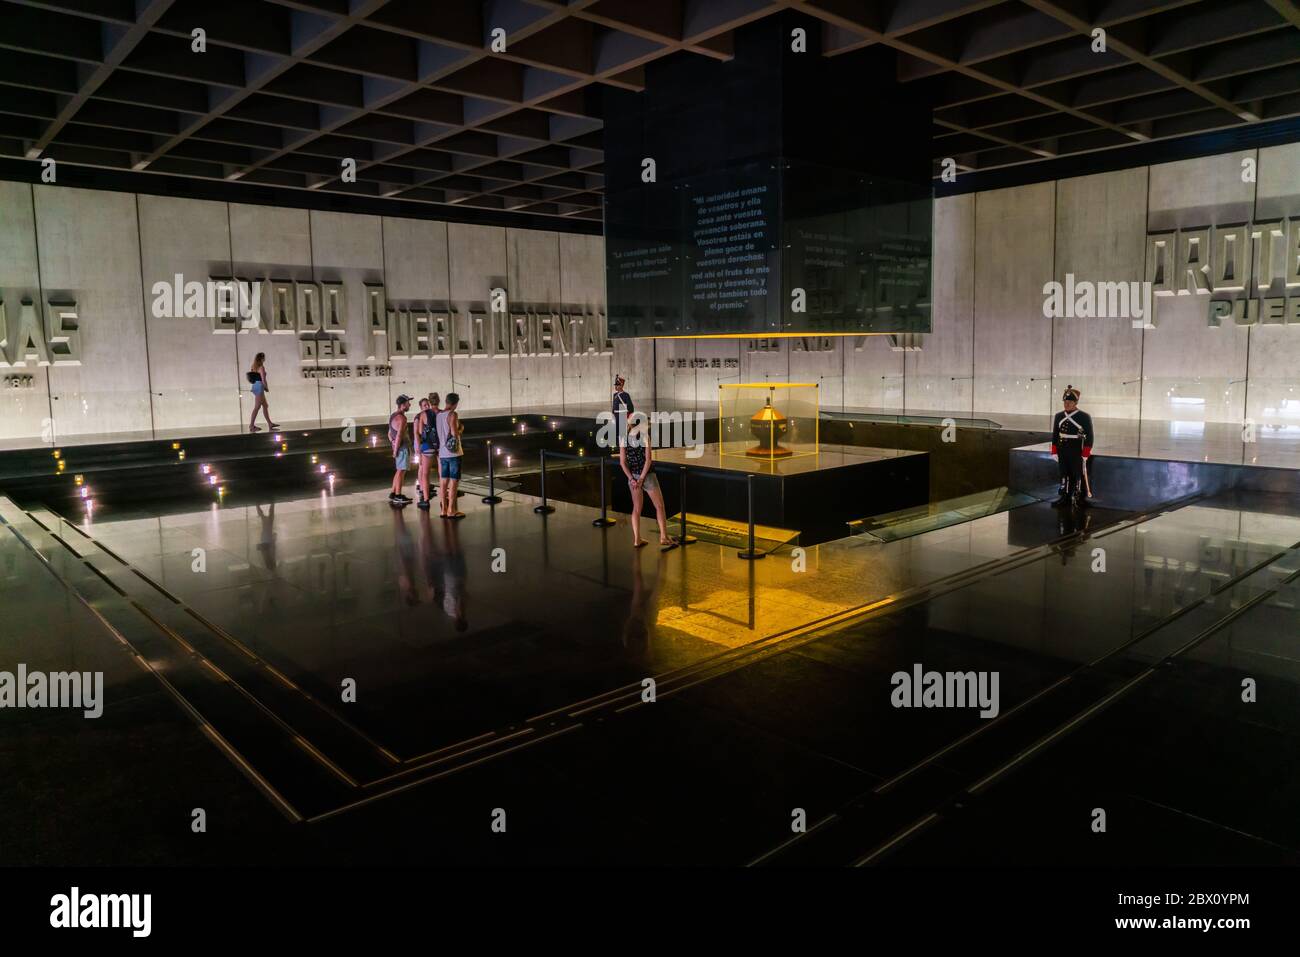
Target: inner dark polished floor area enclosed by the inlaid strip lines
pixel 453 630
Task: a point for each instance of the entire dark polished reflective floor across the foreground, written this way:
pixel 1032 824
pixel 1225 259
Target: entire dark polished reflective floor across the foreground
pixel 501 662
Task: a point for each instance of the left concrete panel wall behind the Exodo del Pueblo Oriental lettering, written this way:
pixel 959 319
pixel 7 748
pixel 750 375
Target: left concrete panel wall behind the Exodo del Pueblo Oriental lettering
pixel 146 375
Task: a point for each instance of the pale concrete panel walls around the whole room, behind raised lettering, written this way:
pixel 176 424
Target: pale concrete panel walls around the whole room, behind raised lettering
pixel 991 350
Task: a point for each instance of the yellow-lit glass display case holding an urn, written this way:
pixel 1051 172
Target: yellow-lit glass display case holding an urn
pixel 769 422
